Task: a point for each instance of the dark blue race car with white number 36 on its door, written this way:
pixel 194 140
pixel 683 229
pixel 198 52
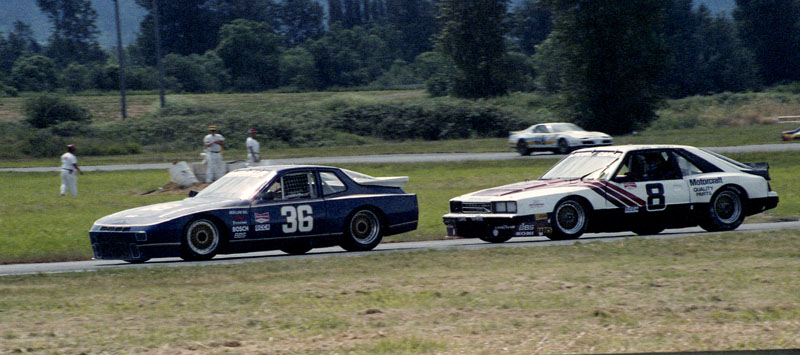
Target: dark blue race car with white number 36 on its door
pixel 290 208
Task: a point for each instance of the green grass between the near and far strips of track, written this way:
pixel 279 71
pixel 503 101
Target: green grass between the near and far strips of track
pixel 38 225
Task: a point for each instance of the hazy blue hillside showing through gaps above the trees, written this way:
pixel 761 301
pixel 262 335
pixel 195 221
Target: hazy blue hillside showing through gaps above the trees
pixel 131 16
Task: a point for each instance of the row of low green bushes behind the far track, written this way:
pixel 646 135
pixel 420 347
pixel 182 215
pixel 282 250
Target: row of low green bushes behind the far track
pixel 182 124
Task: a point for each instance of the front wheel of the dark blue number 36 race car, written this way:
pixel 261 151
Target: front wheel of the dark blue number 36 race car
pixel 201 239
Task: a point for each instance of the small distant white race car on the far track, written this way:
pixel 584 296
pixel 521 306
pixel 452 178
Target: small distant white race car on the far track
pixel 560 138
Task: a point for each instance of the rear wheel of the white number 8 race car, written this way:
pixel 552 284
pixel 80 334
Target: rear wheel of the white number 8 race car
pixel 725 211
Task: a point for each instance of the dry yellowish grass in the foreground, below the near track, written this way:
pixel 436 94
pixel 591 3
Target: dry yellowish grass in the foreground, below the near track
pixel 732 291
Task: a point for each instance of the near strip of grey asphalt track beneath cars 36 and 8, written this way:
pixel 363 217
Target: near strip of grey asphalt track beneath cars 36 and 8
pixel 461 244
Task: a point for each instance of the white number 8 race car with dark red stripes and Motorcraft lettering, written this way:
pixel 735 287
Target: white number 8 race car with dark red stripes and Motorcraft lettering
pixel 644 189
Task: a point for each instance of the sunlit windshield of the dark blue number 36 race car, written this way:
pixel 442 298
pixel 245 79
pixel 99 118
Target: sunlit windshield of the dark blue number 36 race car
pixel 242 184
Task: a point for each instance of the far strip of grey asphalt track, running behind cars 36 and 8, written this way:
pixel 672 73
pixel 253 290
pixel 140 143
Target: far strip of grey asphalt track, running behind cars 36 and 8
pixel 405 158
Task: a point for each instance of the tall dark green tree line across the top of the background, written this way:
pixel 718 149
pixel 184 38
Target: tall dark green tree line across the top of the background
pixel 608 63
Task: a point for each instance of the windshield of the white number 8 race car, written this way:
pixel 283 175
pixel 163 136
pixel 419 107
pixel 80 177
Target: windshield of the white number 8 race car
pixel 581 165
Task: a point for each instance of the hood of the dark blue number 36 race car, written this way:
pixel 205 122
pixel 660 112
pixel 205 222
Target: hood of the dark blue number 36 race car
pixel 162 212
